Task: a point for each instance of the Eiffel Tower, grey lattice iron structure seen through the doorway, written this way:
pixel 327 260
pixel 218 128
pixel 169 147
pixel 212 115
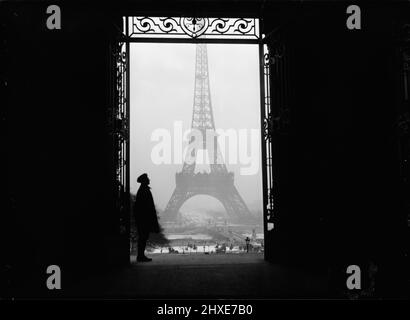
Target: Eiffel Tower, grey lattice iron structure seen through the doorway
pixel 219 183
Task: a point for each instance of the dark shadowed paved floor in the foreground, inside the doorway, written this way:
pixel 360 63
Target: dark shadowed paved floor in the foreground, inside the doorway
pixel 205 276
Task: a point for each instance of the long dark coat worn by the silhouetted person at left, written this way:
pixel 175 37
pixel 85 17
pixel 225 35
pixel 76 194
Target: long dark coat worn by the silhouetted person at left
pixel 144 211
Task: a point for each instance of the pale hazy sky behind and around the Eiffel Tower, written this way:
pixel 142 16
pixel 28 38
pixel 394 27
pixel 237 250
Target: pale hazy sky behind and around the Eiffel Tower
pixel 162 92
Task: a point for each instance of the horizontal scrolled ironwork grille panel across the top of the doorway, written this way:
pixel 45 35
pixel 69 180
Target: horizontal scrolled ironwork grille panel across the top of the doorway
pixel 192 28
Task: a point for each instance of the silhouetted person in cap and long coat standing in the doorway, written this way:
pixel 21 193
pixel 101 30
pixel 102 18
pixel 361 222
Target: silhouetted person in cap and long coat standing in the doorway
pixel 145 216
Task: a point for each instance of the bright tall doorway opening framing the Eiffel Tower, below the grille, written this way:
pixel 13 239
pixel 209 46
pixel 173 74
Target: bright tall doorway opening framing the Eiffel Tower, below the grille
pixel 174 90
